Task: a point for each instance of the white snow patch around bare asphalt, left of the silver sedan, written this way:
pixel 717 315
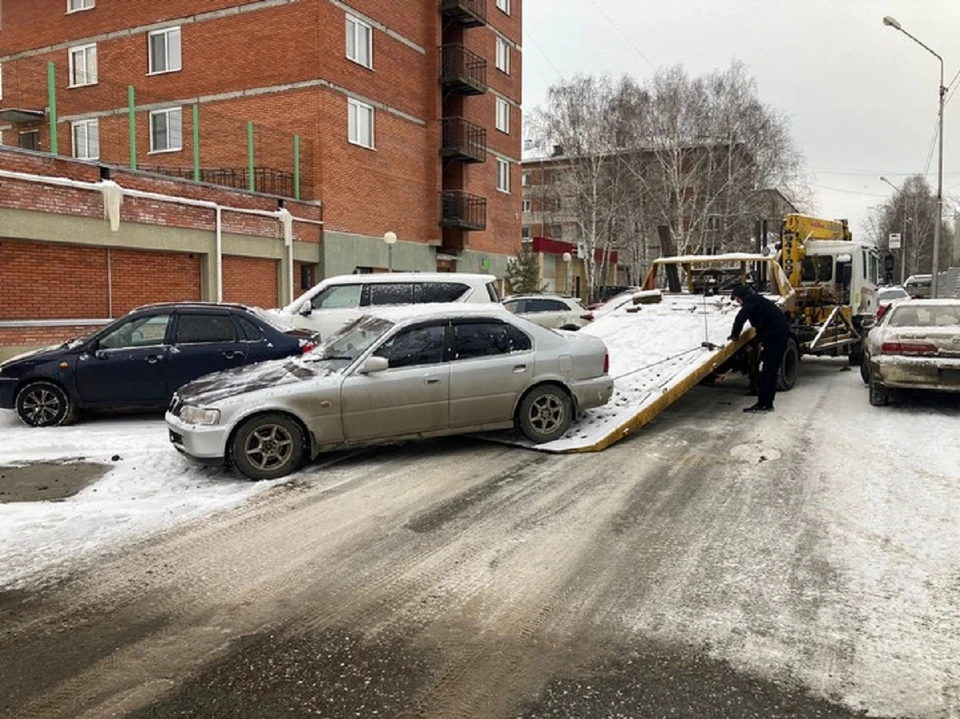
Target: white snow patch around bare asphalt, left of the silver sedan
pixel 149 488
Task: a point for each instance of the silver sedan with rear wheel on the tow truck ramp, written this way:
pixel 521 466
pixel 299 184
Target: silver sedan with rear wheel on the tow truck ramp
pixel 405 373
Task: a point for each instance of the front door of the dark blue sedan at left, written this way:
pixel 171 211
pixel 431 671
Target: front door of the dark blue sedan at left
pixel 127 365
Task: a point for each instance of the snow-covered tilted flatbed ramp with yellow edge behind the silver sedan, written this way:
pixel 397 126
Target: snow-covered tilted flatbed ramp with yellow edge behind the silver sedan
pixel 657 354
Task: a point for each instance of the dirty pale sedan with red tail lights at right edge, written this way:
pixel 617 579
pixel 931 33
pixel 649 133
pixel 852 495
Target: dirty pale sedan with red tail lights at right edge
pixel 915 346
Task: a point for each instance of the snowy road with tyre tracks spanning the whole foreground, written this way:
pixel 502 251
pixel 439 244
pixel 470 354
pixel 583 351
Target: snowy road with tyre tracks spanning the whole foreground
pixel 799 564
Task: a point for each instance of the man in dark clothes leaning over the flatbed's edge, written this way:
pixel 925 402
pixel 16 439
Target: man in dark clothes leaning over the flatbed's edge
pixel 773 330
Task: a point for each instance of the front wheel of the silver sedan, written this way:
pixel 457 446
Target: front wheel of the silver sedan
pixel 268 446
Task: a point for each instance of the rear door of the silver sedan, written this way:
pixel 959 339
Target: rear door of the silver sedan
pixel 491 364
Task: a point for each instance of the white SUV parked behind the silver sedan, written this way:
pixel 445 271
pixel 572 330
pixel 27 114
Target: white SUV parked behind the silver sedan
pixel 337 301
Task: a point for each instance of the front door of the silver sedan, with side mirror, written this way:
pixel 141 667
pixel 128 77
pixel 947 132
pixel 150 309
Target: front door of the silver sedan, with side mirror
pixel 410 397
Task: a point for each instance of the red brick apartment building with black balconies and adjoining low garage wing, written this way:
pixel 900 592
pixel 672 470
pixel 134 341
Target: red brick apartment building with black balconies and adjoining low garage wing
pixel 406 116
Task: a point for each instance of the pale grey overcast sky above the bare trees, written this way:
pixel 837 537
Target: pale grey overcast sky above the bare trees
pixel 861 97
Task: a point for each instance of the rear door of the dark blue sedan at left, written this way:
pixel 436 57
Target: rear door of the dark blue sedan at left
pixel 203 342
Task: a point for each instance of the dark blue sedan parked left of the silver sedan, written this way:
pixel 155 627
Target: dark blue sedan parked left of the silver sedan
pixel 139 360
